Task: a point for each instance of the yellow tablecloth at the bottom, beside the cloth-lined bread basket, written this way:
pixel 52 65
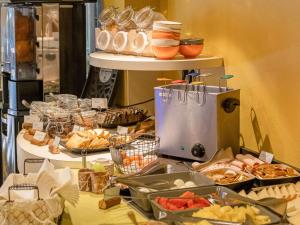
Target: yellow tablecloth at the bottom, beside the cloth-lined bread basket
pixel 86 212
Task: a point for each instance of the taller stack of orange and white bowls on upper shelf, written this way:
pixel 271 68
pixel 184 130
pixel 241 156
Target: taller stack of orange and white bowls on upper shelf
pixel 165 39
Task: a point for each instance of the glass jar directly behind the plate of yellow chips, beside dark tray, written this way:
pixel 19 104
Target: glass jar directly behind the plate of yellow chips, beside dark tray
pixel 87 119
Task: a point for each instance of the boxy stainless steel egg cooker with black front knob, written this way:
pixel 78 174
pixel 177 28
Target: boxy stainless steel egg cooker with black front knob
pixel 195 121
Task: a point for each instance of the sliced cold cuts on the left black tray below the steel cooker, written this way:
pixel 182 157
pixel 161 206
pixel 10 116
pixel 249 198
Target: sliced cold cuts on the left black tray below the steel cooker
pixel 227 176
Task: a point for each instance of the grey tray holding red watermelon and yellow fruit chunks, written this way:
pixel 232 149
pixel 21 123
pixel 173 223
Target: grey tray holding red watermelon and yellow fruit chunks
pixel 221 191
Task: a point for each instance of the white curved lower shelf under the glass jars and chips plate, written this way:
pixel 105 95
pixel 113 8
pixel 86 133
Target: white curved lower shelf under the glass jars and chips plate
pixel 64 159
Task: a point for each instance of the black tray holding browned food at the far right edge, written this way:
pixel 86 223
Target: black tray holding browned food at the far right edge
pixel 280 180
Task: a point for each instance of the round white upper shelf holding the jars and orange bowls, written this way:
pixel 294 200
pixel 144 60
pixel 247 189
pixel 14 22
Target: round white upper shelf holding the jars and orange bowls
pixel 129 62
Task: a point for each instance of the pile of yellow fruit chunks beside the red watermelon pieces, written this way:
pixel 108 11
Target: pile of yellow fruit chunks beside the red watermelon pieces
pixel 233 214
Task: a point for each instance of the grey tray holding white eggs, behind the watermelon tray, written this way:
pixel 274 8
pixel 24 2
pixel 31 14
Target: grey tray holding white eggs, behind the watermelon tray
pixel 140 198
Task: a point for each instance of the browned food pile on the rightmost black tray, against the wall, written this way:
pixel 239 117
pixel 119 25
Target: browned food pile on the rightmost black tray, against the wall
pixel 271 171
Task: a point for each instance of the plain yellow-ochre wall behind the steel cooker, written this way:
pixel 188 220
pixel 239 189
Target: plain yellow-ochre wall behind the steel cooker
pixel 260 42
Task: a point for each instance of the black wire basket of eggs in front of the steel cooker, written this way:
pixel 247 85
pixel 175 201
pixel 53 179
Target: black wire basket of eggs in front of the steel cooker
pixel 131 153
